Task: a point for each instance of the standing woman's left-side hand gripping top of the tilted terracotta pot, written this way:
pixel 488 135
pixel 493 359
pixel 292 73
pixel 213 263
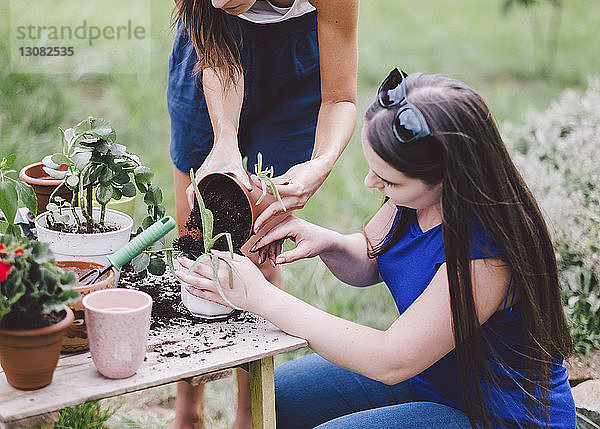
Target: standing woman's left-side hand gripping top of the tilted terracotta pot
pixel 224 158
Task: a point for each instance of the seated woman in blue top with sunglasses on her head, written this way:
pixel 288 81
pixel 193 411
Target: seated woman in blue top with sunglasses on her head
pixel 462 246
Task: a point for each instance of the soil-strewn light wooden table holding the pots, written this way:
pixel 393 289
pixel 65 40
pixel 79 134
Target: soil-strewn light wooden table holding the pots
pixel 182 353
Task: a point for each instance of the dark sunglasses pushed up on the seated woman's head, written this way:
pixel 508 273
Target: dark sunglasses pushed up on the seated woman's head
pixel 409 123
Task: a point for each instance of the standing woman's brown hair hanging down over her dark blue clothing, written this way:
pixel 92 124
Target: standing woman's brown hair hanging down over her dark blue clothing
pixel 209 30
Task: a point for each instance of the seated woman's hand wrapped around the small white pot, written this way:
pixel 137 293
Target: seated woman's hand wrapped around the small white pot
pixel 248 282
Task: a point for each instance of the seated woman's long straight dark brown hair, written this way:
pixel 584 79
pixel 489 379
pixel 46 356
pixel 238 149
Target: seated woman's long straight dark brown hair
pixel 479 181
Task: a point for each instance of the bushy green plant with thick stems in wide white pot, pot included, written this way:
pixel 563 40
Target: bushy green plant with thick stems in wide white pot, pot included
pixel 100 169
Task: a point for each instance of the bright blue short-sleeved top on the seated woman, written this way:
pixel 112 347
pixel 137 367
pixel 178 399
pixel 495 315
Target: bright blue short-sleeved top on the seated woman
pixel 407 268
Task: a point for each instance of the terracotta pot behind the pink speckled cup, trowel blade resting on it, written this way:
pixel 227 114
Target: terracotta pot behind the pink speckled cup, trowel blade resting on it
pixel 76 338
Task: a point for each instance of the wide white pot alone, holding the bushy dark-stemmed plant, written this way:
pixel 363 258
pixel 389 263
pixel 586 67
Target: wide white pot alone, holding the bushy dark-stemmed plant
pixel 88 247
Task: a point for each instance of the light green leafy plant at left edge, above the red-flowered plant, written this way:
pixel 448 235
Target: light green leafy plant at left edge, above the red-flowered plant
pixel 13 194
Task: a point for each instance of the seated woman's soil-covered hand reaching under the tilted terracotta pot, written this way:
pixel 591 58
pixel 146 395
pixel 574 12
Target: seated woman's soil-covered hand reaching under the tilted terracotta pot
pixel 311 240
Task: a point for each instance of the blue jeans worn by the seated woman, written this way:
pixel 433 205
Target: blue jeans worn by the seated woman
pixel 312 392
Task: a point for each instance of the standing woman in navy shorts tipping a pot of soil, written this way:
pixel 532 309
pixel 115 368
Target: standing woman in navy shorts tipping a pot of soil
pixel 271 76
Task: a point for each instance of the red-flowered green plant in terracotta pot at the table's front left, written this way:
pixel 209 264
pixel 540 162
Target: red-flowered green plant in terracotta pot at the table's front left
pixel 33 311
